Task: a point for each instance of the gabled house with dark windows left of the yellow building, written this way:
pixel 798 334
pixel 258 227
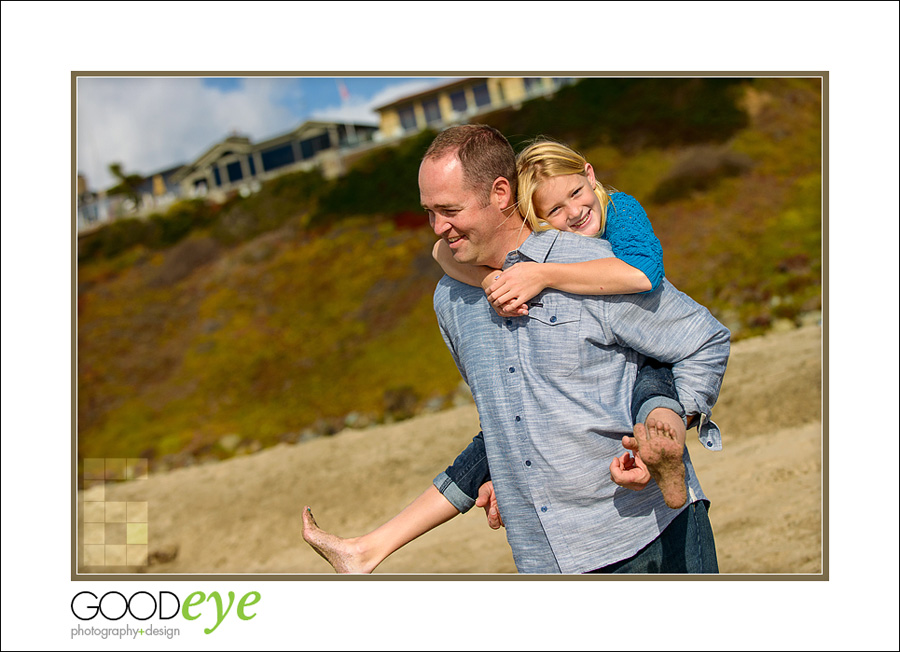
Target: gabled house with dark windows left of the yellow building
pixel 237 164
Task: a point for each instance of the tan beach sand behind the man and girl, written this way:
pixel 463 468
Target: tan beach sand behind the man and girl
pixel 242 515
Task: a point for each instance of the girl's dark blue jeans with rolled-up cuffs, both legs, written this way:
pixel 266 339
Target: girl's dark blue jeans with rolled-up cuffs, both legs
pixel 654 387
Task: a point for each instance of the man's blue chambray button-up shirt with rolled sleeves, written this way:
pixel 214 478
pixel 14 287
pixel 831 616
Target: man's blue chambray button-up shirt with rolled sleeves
pixel 553 392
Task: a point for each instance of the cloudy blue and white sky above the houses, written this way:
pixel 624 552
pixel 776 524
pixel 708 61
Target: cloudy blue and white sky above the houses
pixel 154 123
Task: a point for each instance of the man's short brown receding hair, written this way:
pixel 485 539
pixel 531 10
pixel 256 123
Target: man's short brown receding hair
pixel 484 153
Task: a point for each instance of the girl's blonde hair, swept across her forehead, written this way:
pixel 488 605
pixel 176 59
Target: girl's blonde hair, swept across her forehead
pixel 545 159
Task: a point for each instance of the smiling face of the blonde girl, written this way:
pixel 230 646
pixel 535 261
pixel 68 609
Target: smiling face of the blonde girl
pixel 568 202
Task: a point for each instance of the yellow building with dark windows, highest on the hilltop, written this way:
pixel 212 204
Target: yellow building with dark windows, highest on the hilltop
pixel 459 101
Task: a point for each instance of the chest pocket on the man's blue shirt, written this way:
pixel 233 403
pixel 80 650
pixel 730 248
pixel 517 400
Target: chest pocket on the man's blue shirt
pixel 553 330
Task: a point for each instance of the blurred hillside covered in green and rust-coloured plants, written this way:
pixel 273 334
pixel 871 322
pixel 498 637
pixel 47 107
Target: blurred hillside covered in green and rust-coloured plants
pixel 212 332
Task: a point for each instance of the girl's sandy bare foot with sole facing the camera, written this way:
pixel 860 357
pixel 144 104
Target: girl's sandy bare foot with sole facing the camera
pixel 661 449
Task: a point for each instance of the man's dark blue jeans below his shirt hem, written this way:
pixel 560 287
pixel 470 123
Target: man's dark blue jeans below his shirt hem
pixel 685 546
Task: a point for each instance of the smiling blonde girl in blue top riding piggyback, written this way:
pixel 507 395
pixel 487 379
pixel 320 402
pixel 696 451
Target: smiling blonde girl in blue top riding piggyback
pixel 556 189
